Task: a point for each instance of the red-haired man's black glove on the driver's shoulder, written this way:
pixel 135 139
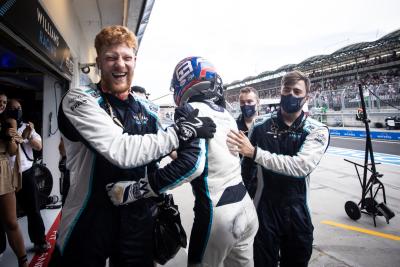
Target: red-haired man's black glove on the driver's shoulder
pixel 188 126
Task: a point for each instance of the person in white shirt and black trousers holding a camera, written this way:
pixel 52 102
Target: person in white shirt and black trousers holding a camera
pixel 28 196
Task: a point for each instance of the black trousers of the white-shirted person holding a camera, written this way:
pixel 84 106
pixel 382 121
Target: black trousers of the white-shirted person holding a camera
pixel 28 200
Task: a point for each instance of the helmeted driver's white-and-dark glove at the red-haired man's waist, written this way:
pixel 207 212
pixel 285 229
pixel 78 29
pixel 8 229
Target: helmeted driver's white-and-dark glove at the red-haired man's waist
pixel 126 192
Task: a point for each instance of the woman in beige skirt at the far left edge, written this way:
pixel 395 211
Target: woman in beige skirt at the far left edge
pixel 10 182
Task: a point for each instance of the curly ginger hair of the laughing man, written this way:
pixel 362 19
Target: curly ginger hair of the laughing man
pixel 115 34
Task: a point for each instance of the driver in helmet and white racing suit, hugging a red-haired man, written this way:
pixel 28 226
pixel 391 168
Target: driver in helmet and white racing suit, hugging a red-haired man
pixel 225 220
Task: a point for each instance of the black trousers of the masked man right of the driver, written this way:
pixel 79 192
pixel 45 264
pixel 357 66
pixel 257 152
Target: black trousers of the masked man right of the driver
pixel 285 234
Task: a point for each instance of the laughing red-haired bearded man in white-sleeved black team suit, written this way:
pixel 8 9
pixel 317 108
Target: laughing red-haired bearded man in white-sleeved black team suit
pixel 106 137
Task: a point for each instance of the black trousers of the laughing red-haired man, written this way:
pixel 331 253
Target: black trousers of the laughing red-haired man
pixel 123 234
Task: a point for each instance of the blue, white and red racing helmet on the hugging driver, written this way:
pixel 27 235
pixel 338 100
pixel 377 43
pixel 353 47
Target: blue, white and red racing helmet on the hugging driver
pixel 196 77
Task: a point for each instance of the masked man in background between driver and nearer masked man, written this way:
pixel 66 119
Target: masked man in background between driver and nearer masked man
pixel 249 101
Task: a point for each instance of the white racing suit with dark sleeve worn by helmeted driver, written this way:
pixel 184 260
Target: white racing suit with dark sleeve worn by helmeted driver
pixel 225 220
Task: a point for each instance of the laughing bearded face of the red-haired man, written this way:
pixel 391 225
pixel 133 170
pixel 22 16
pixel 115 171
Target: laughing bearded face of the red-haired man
pixel 117 64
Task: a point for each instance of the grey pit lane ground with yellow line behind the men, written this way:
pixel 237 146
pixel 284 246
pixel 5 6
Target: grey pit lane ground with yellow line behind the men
pixel 338 240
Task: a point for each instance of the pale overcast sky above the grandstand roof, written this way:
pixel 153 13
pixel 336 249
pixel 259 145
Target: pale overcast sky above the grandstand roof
pixel 247 37
